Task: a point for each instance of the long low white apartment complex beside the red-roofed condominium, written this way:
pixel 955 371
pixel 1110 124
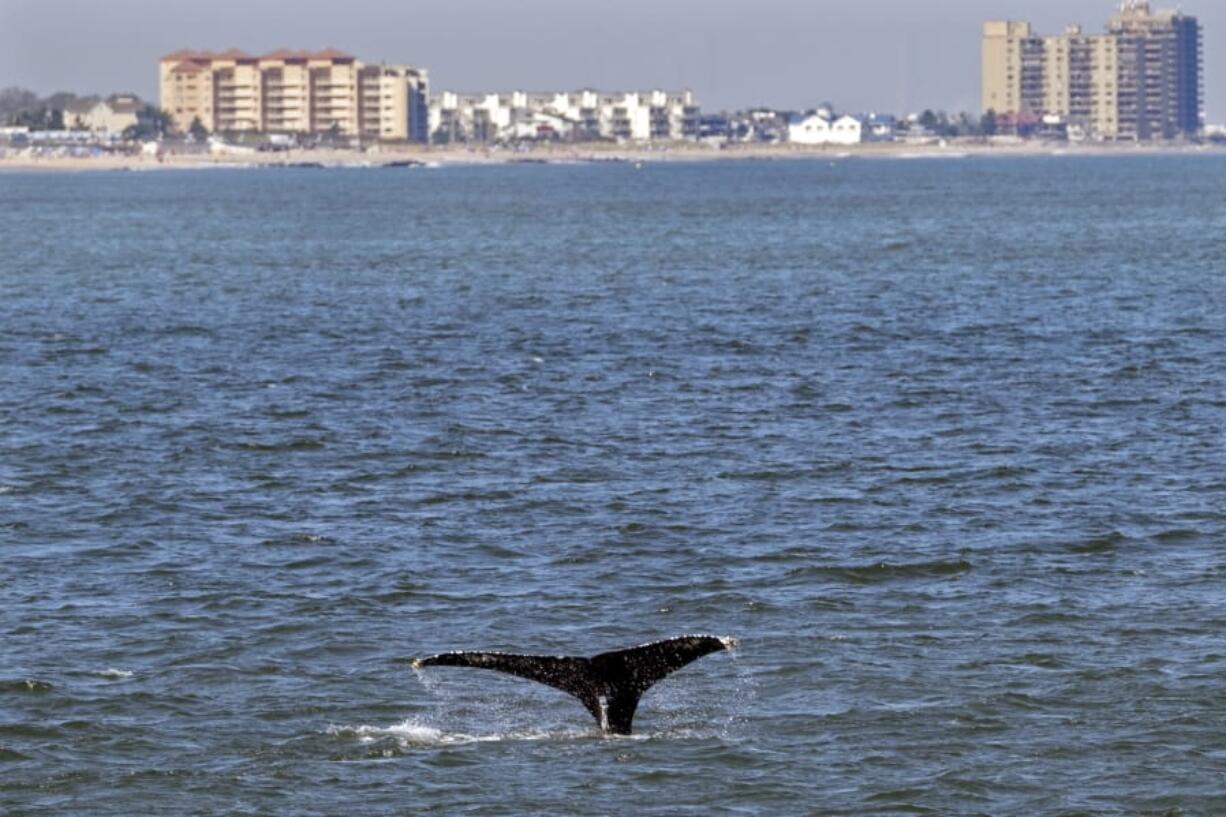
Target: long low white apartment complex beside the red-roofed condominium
pixel 582 116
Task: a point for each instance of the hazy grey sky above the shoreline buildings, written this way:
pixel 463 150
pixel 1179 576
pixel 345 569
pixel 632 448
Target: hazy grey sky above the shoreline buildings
pixel 864 56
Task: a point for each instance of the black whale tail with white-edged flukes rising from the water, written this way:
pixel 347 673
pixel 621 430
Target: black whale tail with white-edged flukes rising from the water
pixel 609 685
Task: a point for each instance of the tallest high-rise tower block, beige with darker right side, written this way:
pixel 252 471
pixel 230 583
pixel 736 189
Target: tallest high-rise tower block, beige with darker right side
pixel 1140 80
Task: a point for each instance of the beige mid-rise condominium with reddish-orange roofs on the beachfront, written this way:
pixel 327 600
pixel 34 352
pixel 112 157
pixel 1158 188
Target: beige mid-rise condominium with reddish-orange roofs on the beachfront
pixel 295 93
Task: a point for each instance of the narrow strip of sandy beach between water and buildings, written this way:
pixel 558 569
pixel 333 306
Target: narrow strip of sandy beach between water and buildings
pixel 440 156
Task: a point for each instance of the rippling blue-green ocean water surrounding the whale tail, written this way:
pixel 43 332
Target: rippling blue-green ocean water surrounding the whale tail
pixel 942 442
